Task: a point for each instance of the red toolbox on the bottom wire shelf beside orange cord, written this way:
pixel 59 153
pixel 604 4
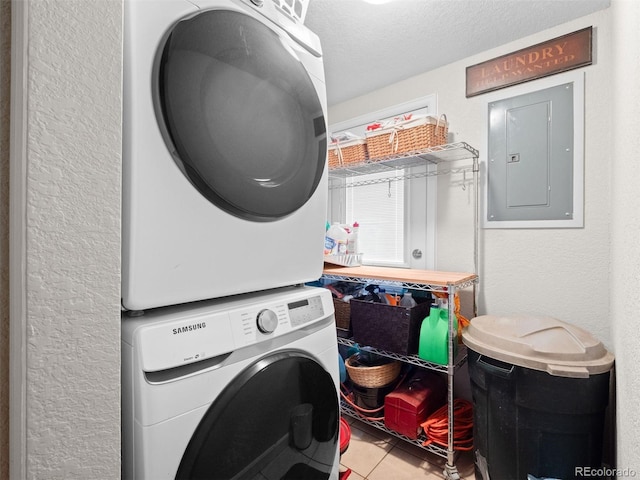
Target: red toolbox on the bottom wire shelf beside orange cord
pixel 412 402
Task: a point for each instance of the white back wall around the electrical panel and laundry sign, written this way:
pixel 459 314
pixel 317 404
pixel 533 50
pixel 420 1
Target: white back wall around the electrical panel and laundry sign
pixel 538 271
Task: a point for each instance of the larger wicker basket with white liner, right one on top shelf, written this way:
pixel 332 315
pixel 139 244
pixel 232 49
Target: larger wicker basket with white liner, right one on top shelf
pixel 407 136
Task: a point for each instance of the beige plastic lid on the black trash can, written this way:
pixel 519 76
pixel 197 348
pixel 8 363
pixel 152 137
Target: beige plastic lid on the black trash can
pixel 539 343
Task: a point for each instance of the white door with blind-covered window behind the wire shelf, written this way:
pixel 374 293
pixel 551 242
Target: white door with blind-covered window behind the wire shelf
pixel 396 214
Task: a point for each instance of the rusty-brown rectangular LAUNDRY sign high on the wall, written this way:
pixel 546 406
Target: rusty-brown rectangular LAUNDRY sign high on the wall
pixel 553 56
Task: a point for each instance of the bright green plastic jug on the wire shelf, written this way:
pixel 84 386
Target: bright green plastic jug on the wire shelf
pixel 434 337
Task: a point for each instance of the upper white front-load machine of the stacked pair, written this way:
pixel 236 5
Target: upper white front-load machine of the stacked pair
pixel 224 151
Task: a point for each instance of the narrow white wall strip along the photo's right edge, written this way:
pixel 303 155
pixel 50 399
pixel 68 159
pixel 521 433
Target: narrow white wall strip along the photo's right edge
pixel 625 214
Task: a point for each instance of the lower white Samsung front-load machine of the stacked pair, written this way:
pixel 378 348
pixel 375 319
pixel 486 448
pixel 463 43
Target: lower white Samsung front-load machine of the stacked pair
pixel 243 388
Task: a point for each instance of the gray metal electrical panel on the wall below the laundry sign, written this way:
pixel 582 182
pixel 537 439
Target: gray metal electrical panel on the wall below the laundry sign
pixel 530 168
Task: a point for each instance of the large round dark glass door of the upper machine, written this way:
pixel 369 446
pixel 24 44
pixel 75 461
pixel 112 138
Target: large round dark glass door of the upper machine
pixel 241 115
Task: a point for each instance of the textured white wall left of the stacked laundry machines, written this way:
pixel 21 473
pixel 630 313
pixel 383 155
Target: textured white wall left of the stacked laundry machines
pixel 65 229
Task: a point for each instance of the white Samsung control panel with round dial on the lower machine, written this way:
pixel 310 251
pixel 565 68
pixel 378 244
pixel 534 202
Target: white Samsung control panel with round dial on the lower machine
pixel 166 340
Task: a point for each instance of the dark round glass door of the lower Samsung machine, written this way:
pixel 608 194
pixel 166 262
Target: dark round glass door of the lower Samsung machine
pixel 277 419
